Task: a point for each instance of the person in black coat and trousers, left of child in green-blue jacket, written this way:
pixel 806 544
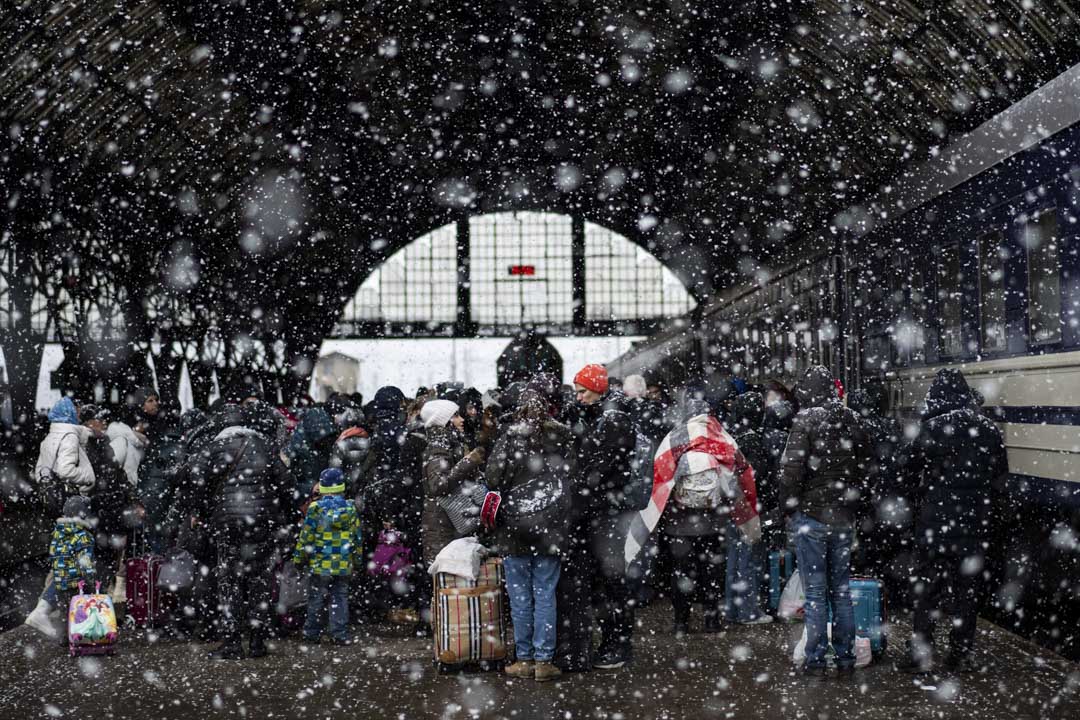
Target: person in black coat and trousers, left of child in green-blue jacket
pixel 239 486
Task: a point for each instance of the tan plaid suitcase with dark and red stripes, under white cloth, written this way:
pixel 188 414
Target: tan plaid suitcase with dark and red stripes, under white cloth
pixel 469 619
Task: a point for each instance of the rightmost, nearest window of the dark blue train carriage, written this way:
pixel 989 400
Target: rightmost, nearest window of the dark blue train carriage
pixel 1044 279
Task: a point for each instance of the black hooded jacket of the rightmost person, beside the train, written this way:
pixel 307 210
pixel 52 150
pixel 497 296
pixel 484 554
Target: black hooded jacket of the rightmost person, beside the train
pixel 954 463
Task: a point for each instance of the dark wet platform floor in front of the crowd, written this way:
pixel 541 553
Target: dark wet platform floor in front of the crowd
pixel 744 673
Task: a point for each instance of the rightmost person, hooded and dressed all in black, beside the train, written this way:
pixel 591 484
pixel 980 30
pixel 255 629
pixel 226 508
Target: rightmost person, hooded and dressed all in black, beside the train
pixel 953 466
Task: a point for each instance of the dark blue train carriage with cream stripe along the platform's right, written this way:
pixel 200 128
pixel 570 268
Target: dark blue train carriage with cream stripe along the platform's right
pixel 977 267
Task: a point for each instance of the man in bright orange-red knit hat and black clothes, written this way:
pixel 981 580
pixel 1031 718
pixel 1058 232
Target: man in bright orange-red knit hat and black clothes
pixel 605 443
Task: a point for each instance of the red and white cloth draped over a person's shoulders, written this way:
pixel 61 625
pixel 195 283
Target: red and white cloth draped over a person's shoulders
pixel 694 447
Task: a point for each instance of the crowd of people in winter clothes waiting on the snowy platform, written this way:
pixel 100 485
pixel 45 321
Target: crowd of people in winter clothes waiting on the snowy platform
pixel 356 495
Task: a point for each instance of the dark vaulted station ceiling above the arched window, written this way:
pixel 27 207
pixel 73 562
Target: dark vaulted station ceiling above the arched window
pixel 293 145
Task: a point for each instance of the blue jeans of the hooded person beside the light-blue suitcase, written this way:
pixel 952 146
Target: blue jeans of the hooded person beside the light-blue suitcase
pixel 823 556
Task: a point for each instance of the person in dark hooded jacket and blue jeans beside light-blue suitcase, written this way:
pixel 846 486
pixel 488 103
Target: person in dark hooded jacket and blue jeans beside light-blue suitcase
pixel 827 466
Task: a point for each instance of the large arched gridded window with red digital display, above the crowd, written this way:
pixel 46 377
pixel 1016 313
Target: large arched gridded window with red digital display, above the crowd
pixel 521 268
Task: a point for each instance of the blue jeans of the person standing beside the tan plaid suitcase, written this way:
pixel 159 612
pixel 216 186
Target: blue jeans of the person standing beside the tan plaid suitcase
pixel 531 582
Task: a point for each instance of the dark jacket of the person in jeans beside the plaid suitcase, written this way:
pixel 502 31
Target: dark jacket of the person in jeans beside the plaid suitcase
pixel 533 450
